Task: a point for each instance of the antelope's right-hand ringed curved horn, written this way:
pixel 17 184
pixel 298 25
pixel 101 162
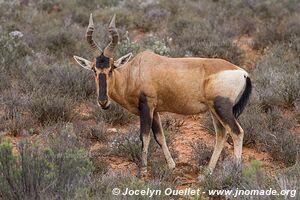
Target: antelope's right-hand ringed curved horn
pixel 109 50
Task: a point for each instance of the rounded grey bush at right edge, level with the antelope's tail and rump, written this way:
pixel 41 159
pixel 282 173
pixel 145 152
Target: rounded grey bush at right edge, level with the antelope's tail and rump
pixel 276 77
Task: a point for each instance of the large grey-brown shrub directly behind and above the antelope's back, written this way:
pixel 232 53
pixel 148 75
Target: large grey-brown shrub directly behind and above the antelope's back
pixel 198 38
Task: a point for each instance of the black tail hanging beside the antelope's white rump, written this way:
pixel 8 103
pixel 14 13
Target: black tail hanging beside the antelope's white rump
pixel 241 104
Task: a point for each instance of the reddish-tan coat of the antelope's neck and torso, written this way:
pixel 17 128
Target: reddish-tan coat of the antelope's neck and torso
pixel 178 85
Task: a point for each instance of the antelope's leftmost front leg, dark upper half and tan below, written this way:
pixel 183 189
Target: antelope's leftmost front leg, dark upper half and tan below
pixel 146 115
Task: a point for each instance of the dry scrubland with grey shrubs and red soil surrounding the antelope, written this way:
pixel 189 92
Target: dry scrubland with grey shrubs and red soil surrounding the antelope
pixel 55 143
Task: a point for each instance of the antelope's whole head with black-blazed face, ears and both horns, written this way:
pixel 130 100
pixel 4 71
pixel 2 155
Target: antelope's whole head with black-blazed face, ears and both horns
pixel 103 64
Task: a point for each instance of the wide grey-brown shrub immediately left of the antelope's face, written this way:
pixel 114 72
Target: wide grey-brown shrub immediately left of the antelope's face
pixel 60 78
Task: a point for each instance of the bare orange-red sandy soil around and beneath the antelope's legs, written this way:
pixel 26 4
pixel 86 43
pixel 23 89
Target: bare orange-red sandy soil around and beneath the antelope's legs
pixel 187 170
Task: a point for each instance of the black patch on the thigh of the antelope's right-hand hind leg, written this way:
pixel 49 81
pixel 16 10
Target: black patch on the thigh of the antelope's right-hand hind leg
pixel 223 106
